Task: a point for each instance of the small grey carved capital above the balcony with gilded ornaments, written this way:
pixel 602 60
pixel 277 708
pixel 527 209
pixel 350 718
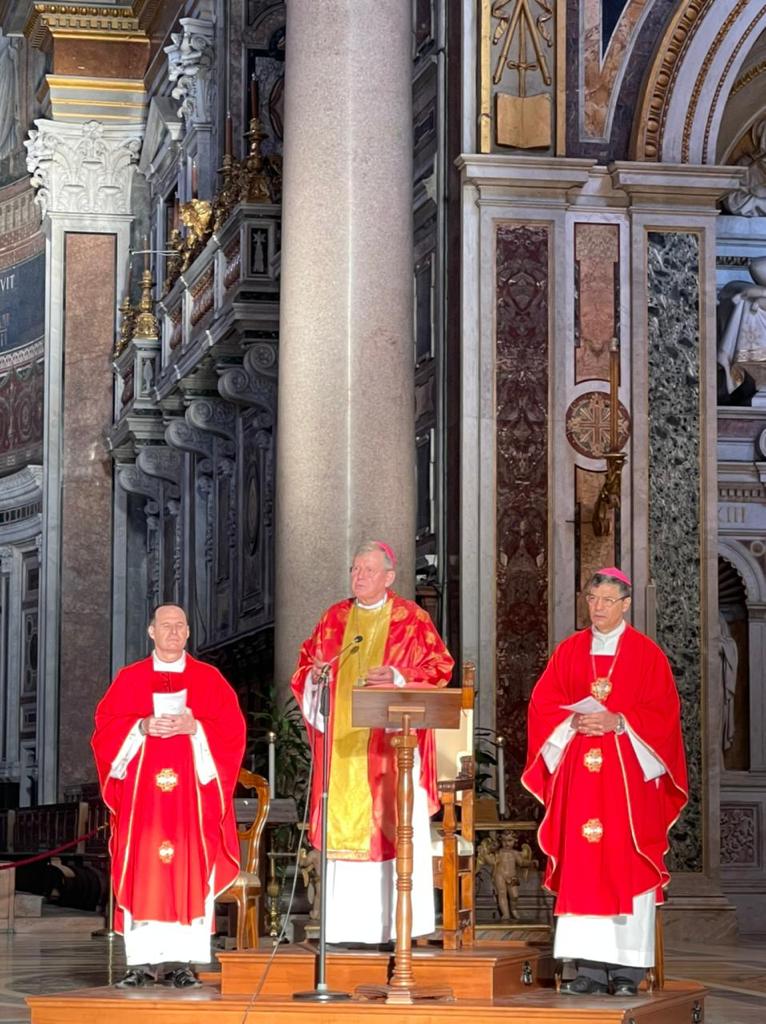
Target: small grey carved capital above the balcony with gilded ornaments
pixel 191 60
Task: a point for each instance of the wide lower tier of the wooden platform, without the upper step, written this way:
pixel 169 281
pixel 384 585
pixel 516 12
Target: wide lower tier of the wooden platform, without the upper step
pixel 679 1004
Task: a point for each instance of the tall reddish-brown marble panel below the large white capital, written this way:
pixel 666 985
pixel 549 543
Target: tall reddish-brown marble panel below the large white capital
pixel 87 497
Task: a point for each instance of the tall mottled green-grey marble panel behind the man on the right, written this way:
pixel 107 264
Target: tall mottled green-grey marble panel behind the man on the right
pixel 675 431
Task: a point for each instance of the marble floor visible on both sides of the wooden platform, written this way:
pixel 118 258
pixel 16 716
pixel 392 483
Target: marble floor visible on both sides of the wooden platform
pixel 42 963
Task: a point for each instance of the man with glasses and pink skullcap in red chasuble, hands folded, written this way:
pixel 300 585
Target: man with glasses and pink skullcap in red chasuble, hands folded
pixel 606 758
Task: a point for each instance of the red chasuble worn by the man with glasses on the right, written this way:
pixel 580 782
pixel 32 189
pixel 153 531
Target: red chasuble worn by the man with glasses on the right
pixel 606 829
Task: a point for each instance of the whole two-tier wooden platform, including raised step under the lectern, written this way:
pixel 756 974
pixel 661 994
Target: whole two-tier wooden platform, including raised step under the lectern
pixel 491 983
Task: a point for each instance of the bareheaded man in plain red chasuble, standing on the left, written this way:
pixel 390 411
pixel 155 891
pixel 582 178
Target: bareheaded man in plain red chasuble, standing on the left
pixel 168 743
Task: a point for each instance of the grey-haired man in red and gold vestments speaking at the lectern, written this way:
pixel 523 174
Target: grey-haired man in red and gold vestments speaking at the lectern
pixel 400 647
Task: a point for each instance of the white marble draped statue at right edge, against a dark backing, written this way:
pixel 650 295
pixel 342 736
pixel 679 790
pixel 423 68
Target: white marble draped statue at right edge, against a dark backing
pixel 742 342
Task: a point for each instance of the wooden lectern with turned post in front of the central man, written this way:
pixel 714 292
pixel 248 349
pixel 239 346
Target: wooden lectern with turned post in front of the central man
pixel 405 709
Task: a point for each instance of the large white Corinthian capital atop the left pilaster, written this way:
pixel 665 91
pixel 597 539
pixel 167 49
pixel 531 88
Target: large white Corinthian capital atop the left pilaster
pixel 84 168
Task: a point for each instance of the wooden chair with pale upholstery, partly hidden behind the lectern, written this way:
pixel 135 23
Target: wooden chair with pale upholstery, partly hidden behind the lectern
pixel 454 862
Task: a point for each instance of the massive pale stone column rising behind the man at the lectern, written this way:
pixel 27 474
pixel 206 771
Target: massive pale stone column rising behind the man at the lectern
pixel 346 432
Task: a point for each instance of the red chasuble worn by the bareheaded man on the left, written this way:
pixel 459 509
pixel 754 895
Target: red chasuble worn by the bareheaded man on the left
pixel 168 831
